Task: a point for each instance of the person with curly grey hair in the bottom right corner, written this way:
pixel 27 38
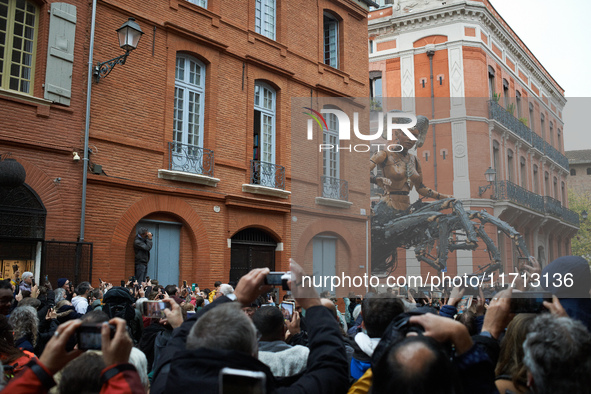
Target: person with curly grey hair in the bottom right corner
pixel 558 356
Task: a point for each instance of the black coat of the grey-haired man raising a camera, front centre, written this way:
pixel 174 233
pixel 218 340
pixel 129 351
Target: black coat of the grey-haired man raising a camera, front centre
pixel 327 371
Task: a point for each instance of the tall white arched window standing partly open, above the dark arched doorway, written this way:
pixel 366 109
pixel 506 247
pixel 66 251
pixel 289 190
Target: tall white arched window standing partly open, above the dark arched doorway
pixel 264 132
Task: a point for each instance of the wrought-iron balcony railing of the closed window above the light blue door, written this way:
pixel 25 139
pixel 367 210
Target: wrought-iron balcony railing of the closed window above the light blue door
pixel 190 158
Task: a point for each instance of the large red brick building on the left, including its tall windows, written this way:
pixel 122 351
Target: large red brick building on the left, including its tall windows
pixel 191 137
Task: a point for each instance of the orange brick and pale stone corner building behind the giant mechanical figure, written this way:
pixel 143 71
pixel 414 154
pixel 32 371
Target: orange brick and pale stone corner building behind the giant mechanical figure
pixel 494 105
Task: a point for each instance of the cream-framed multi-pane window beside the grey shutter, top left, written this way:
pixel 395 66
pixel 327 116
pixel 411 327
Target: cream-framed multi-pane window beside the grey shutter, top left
pixel 18 33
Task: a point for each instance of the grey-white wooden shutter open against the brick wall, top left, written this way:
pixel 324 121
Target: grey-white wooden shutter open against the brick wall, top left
pixel 60 53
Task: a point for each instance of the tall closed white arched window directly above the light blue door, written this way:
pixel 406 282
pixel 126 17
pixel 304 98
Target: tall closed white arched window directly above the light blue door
pixel 189 97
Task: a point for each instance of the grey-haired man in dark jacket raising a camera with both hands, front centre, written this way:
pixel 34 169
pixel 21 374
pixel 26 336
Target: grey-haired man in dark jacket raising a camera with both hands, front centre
pixel 216 342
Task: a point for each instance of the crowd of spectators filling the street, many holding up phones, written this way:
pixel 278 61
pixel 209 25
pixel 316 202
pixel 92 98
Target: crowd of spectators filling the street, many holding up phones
pixel 239 337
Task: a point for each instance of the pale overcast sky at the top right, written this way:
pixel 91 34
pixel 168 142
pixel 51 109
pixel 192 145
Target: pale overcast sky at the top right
pixel 557 34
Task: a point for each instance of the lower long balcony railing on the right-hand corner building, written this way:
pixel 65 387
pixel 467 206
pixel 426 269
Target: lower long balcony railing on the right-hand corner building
pixel 506 190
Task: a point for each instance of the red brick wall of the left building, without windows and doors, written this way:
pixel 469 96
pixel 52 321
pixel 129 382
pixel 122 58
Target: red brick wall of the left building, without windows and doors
pixel 131 125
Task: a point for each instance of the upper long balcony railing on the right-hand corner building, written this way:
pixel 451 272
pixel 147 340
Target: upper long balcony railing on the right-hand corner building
pixel 504 117
